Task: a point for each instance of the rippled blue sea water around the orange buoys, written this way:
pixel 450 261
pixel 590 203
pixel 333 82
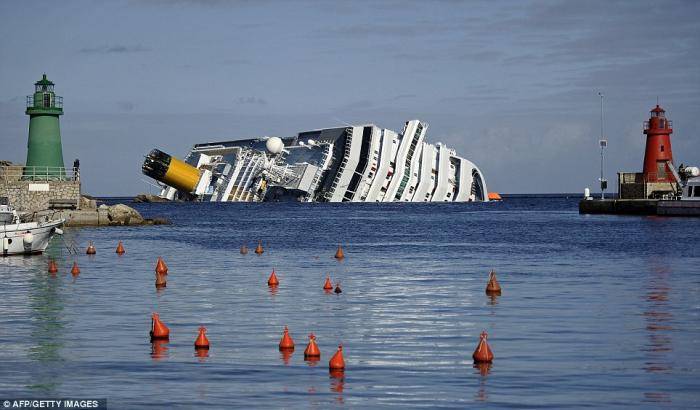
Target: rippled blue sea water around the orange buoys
pixel 597 311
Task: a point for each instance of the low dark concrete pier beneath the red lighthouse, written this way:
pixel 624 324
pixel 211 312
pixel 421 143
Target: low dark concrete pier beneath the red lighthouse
pixel 639 207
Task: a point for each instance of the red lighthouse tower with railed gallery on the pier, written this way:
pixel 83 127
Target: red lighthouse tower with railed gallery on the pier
pixel 658 151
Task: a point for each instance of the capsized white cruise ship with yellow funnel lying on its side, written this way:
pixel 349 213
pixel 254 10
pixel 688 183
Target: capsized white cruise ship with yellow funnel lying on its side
pixel 361 163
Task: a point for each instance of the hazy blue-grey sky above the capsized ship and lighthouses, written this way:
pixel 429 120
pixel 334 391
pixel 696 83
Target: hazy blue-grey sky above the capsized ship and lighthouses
pixel 511 85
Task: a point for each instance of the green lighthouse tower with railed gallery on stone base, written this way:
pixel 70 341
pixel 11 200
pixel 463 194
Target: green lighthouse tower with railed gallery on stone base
pixel 44 152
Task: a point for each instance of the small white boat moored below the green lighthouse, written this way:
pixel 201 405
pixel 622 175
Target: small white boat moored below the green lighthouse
pixel 20 238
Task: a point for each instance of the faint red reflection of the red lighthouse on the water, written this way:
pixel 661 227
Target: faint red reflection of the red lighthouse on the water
pixel 658 326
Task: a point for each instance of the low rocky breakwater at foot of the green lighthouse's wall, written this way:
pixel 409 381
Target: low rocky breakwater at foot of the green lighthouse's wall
pixel 115 215
